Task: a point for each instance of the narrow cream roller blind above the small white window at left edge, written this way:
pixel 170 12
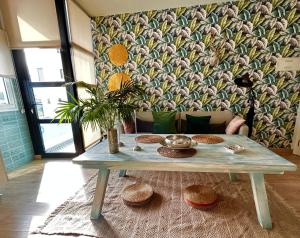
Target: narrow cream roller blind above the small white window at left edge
pixel 6 63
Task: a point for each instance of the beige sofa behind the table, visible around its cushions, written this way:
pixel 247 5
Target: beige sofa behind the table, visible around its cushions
pixel 216 117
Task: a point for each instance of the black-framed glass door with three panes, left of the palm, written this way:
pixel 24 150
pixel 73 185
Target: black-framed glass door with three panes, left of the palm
pixel 44 83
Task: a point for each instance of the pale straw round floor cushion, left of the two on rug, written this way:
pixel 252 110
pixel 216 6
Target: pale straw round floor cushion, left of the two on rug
pixel 137 194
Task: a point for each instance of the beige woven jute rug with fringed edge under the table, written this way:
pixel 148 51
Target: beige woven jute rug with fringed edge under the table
pixel 167 215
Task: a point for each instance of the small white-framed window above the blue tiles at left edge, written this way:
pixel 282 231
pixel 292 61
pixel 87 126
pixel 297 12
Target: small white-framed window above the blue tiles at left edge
pixel 7 99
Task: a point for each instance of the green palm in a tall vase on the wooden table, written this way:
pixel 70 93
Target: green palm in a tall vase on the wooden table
pixel 102 109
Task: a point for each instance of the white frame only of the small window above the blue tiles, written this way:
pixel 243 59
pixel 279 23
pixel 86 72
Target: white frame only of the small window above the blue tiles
pixel 9 86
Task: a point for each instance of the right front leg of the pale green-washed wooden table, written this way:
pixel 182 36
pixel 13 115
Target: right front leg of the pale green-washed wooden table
pixel 261 200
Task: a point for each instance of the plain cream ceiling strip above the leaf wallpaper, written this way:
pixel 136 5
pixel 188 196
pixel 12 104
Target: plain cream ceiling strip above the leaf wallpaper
pixel 112 7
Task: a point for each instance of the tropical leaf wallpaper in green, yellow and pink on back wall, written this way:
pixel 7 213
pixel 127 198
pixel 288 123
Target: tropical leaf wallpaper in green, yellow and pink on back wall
pixel 188 58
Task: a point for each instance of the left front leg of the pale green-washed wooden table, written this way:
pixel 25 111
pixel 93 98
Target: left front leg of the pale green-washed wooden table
pixel 103 175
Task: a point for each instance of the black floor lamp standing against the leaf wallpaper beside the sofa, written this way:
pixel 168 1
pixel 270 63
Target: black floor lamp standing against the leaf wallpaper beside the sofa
pixel 244 81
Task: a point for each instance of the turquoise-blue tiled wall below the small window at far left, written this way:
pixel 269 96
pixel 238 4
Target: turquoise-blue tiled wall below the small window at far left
pixel 15 141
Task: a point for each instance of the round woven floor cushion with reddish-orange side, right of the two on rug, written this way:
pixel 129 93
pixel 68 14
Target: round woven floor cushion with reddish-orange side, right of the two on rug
pixel 199 196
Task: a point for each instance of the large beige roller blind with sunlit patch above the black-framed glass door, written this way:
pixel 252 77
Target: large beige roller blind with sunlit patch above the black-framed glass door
pixel 30 23
